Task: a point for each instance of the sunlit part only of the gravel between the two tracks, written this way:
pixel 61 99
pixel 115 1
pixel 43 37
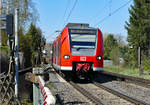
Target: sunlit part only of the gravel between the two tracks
pixel 130 89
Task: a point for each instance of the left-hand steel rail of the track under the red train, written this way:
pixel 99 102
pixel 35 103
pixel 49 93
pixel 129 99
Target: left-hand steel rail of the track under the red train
pixel 87 94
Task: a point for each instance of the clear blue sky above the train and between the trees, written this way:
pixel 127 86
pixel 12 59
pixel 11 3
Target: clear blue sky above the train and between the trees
pixel 52 15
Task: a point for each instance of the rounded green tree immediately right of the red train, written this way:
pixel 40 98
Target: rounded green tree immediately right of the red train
pixel 109 43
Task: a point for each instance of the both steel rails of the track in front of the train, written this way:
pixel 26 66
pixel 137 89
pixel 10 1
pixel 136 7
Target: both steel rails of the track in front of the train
pixel 97 101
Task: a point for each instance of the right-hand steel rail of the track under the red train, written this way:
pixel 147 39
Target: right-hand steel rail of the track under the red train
pixel 121 95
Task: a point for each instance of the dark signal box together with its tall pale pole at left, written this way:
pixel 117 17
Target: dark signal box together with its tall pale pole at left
pixel 9 27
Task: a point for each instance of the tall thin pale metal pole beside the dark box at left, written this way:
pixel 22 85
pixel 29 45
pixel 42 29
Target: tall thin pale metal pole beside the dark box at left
pixel 16 51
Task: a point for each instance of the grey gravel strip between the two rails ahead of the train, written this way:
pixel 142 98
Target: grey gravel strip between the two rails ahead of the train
pixel 107 97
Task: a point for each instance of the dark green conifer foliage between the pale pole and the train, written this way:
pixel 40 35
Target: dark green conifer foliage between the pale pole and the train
pixel 30 44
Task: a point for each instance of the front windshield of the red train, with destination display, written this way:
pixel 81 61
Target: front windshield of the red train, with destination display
pixel 82 40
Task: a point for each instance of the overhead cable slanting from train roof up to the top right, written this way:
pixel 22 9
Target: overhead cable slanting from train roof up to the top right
pixel 102 20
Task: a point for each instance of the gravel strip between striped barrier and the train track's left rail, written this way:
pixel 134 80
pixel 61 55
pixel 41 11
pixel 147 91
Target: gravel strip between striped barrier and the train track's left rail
pixel 68 94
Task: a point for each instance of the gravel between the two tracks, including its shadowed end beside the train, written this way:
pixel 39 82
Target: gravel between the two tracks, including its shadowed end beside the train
pixel 132 90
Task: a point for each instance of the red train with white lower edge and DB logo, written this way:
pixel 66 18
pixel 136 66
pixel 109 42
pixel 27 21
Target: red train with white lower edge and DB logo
pixel 78 48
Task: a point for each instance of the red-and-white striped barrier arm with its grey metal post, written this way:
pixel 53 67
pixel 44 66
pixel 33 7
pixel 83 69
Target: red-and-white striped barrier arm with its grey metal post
pixel 41 94
